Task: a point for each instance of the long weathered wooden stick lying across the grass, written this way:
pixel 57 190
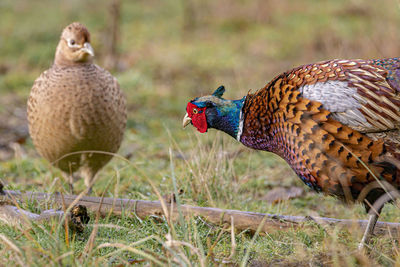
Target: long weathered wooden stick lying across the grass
pixel 243 219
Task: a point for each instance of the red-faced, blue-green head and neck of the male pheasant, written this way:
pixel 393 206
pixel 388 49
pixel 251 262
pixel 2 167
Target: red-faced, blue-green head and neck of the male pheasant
pixel 213 111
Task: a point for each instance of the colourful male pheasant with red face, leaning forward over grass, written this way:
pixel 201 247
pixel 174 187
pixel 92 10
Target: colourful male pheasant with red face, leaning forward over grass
pixel 336 123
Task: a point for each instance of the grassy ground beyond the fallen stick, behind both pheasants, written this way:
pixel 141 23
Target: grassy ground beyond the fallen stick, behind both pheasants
pixel 166 52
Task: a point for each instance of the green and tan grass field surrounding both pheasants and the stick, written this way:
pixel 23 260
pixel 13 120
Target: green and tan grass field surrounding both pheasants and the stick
pixel 170 53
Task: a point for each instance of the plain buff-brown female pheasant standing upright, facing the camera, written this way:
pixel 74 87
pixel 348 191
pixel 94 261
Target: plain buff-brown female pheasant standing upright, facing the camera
pixel 76 106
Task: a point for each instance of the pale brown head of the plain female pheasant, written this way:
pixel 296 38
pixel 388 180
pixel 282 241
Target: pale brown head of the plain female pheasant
pixel 74 46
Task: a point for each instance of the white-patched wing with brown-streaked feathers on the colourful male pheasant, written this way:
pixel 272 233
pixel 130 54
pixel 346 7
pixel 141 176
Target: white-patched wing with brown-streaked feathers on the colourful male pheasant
pixel 363 95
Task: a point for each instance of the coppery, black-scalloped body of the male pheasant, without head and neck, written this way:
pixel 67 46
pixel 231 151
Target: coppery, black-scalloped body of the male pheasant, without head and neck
pixel 332 150
